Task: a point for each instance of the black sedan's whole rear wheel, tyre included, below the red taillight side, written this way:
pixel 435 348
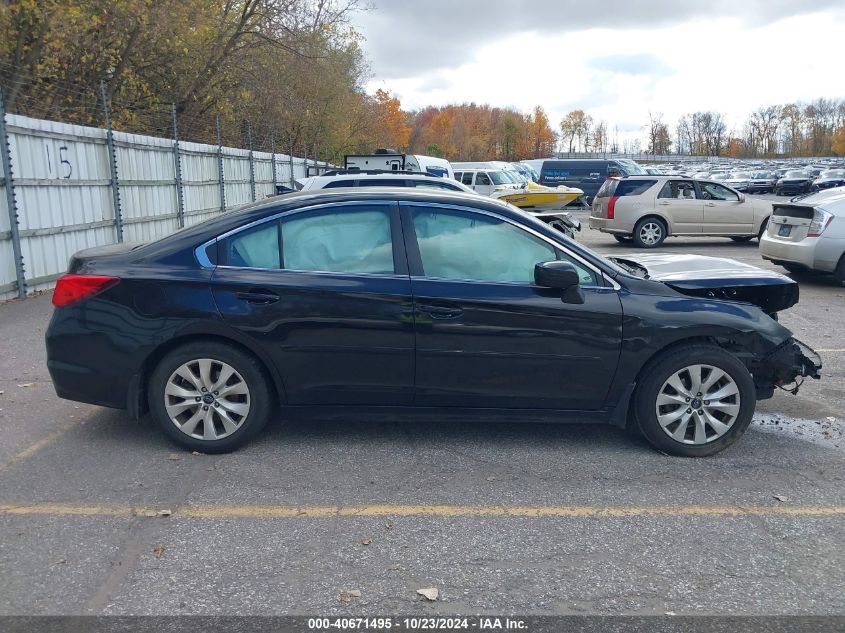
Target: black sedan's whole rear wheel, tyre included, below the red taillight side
pixel 209 397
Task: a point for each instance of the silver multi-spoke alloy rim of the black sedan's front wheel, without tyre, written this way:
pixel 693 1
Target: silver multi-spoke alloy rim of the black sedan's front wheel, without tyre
pixel 698 404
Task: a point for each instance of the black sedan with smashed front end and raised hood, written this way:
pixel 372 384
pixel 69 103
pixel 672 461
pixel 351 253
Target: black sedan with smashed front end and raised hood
pixel 411 304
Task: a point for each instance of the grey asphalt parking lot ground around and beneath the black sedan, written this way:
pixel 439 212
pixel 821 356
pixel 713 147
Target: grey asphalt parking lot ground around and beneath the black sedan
pixel 100 515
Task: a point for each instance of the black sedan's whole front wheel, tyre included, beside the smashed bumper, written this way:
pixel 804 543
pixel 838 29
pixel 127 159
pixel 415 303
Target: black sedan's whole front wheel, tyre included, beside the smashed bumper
pixel 695 401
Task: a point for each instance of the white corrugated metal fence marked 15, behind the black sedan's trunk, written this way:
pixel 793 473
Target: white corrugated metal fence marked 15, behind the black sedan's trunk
pixel 57 194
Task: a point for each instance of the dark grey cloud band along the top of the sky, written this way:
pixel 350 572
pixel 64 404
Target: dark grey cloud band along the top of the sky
pixel 405 38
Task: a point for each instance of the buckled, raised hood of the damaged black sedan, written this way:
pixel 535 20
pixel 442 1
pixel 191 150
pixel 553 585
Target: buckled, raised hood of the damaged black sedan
pixel 720 278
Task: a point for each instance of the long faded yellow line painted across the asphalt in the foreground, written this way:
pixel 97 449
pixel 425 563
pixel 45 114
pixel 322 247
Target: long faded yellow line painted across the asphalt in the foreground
pixel 318 512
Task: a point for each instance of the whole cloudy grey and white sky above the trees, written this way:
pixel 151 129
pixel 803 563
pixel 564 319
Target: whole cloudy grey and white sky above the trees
pixel 615 59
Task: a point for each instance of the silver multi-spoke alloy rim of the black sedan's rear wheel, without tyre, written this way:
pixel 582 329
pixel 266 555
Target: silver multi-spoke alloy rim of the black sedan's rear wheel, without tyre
pixel 206 399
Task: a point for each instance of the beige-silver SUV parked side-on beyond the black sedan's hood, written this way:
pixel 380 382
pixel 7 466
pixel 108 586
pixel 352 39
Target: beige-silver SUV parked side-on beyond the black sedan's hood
pixel 648 209
